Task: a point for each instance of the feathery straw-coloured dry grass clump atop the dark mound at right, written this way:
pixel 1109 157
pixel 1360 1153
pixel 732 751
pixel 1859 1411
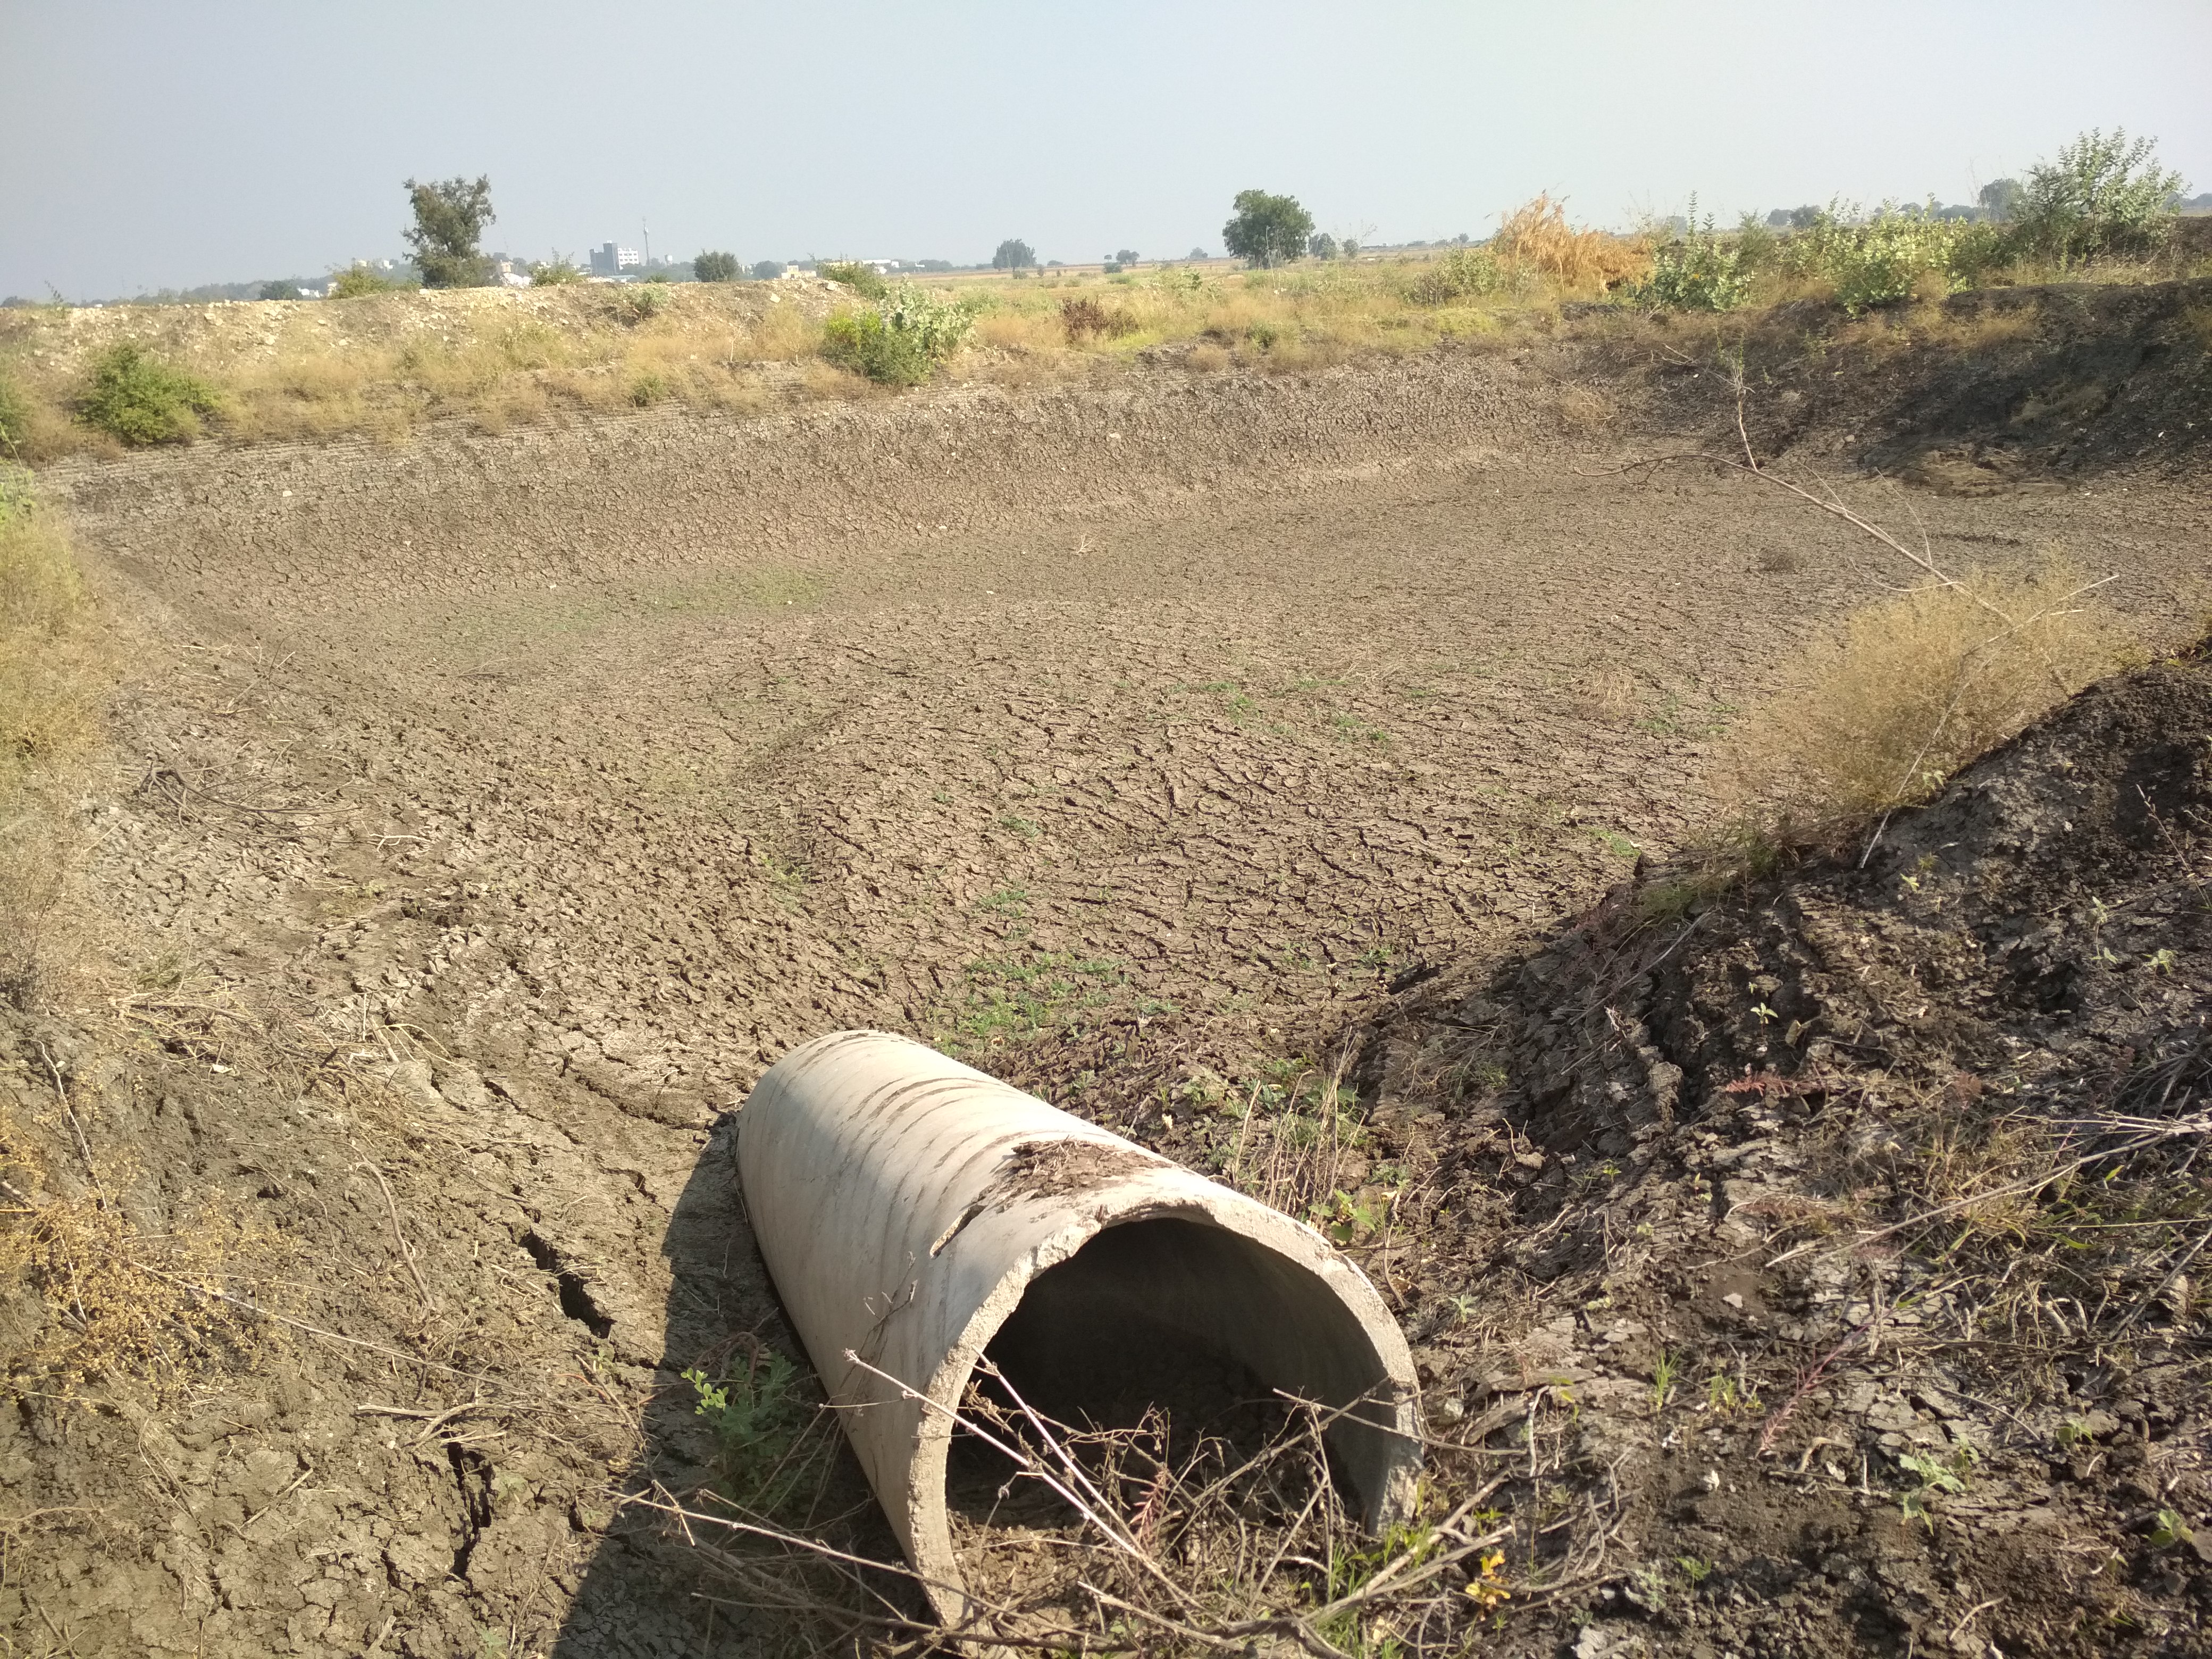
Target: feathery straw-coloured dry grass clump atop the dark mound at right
pixel 1897 698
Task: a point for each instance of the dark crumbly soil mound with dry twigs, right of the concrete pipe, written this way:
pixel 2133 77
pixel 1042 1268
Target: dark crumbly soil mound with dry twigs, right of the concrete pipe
pixel 1859 1220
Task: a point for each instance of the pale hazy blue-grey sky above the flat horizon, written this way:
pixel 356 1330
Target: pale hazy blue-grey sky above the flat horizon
pixel 174 143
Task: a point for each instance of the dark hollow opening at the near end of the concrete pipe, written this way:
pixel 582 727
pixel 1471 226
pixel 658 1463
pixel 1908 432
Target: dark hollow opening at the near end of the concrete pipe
pixel 1178 1326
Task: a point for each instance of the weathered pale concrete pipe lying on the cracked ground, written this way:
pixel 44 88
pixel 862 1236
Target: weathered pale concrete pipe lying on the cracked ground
pixel 919 1213
